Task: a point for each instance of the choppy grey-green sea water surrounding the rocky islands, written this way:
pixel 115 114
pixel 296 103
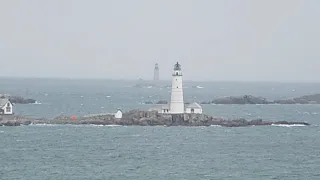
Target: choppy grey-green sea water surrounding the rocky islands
pixel 116 152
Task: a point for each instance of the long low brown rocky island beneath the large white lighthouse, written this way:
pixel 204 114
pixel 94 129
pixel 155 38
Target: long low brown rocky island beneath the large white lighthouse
pixel 145 118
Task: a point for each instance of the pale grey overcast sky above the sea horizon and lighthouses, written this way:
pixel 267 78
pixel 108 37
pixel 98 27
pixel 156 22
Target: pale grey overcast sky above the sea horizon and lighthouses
pixel 247 40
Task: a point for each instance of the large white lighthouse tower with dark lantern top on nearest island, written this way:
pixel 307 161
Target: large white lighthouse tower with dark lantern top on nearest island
pixel 177 104
